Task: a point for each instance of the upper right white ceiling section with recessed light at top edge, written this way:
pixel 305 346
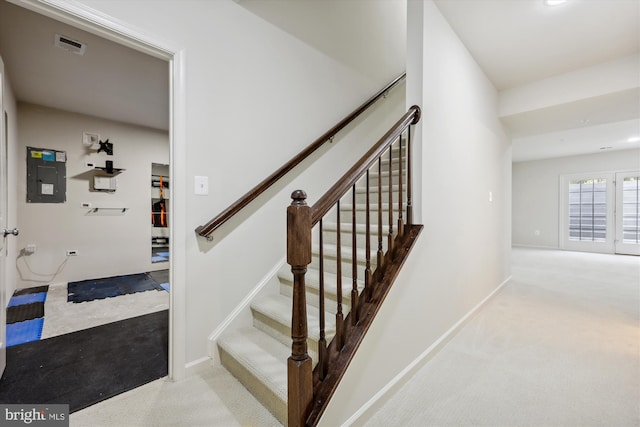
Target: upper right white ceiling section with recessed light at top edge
pixel 522 41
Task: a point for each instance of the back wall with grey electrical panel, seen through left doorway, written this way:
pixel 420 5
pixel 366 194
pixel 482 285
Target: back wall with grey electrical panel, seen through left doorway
pixel 107 245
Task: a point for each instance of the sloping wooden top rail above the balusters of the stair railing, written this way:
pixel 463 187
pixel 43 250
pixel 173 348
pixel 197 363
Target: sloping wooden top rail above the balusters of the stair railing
pixel 326 202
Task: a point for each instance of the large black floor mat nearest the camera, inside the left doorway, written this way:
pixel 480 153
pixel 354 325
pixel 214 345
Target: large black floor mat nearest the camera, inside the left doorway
pixel 88 366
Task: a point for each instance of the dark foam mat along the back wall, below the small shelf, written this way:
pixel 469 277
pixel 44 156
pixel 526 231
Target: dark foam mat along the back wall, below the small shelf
pixel 89 290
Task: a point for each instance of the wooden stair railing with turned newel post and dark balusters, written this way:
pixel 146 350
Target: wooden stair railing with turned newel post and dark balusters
pixel 310 390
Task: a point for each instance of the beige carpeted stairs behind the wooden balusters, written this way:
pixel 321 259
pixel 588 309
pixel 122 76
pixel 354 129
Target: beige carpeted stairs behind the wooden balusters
pixel 257 355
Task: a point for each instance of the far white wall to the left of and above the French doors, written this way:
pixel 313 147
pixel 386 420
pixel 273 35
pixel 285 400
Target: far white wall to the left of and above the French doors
pixel 536 186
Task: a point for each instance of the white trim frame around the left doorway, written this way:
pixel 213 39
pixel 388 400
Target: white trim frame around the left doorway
pixel 100 24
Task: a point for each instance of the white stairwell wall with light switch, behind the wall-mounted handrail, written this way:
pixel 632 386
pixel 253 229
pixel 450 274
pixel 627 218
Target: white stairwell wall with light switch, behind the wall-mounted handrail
pixel 255 96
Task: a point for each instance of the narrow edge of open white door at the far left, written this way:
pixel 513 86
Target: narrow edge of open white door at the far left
pixel 3 224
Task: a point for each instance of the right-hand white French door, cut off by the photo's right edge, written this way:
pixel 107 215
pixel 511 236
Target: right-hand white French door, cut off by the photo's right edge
pixel 628 213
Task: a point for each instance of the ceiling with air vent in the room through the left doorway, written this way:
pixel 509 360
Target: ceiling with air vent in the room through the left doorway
pixel 109 80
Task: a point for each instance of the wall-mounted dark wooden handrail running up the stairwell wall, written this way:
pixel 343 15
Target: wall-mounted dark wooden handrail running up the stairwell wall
pixel 207 229
